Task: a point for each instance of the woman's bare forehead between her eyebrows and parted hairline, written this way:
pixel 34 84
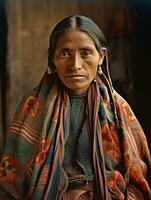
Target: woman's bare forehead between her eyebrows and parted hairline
pixel 75 37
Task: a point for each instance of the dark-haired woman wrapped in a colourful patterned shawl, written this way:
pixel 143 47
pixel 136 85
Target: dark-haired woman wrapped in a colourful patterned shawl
pixel 73 137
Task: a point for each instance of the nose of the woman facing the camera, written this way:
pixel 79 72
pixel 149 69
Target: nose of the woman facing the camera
pixel 75 62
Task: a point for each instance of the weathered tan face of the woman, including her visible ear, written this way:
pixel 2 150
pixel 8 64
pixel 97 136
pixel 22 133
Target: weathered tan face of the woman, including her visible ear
pixel 76 60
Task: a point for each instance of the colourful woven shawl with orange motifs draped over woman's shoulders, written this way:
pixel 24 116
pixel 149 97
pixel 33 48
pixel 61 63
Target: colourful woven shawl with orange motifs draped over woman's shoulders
pixel 34 151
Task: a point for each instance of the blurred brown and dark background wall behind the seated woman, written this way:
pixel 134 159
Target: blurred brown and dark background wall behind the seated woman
pixel 25 26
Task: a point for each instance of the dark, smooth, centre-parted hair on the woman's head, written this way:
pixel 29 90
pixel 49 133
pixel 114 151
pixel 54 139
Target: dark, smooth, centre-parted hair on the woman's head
pixel 80 23
